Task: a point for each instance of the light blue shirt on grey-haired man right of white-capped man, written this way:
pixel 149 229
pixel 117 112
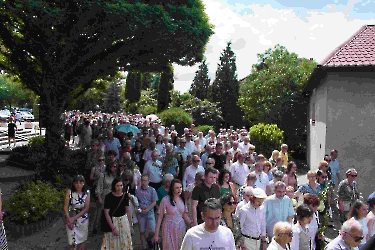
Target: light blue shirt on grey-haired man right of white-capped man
pixel 277 210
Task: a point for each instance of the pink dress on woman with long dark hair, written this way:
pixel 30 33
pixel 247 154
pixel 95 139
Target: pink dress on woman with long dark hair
pixel 173 227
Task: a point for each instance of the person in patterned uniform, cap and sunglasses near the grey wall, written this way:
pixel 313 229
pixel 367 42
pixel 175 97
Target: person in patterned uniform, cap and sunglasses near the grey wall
pixel 347 193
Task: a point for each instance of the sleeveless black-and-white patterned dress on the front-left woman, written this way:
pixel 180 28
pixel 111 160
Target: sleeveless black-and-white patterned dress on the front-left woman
pixel 80 231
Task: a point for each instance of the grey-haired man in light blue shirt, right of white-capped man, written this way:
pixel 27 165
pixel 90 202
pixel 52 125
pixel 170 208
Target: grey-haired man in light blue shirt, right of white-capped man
pixel 279 207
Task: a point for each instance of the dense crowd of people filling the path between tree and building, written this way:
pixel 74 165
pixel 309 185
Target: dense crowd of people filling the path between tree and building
pixel 203 191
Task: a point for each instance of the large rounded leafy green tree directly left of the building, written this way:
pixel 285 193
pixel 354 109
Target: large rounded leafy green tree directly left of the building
pixel 272 93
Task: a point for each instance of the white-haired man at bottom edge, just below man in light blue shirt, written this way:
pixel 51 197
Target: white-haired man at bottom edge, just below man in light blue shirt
pixel 283 236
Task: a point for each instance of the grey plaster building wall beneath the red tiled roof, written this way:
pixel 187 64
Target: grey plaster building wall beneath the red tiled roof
pixel 350 124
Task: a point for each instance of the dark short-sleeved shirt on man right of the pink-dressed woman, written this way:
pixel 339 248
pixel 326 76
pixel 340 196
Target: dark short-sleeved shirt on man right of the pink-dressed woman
pixel 201 193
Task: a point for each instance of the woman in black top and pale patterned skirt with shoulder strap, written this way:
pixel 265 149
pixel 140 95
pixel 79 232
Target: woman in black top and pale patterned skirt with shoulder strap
pixel 117 213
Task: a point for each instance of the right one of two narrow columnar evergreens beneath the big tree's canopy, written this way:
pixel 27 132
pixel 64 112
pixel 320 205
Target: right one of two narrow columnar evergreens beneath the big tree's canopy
pixel 165 86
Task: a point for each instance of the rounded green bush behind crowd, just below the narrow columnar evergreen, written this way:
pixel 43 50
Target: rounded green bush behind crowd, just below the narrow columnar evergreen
pixel 177 117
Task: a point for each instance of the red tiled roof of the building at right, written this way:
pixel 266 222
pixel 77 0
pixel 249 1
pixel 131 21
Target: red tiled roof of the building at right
pixel 357 50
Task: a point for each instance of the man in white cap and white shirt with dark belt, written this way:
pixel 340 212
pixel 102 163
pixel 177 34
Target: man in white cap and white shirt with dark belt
pixel 253 221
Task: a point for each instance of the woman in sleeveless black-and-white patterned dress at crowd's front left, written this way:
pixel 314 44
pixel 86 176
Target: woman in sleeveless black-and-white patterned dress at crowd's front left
pixel 76 206
